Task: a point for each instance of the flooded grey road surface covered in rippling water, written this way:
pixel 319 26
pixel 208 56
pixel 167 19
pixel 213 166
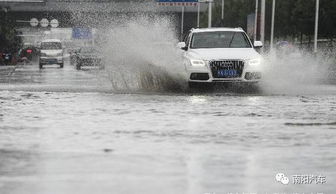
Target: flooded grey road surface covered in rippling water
pixel 64 131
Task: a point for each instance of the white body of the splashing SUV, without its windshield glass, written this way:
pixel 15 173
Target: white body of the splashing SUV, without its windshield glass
pixel 215 64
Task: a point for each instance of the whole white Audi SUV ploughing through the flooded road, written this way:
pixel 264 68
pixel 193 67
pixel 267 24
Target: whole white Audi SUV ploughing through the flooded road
pixel 221 55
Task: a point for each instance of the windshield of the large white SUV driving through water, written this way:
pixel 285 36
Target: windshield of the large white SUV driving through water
pixel 220 39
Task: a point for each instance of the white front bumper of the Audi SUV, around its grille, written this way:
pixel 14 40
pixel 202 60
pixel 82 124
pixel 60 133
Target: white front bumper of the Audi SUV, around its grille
pixel 204 74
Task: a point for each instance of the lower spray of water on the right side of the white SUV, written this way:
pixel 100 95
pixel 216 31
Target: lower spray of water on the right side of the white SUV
pixel 296 72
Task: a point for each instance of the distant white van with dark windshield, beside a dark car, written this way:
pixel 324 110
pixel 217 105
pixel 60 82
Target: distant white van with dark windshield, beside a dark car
pixel 51 52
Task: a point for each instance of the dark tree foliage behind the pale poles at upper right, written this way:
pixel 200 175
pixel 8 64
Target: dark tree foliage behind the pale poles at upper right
pixel 293 18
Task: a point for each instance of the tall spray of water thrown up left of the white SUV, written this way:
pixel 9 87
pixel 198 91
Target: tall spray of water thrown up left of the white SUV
pixel 141 54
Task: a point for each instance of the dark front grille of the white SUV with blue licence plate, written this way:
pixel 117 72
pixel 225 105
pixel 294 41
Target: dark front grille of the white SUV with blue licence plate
pixel 227 68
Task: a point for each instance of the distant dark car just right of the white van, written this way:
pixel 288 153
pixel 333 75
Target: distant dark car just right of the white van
pixel 88 56
